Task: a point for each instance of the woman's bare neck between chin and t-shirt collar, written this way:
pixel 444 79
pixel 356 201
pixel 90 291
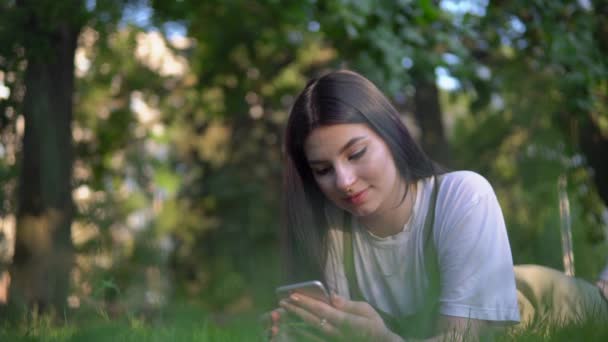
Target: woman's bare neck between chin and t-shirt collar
pixel 391 221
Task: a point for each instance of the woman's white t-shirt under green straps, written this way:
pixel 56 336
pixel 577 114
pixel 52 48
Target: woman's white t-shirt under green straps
pixel 473 252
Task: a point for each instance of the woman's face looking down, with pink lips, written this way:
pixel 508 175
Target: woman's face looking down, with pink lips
pixel 354 168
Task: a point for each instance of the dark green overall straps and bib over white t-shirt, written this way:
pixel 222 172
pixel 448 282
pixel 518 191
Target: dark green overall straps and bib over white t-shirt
pixel 422 323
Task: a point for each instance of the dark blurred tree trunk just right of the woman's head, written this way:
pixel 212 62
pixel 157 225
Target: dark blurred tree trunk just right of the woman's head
pixel 428 116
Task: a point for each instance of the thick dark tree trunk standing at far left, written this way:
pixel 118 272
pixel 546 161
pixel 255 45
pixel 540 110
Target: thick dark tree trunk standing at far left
pixel 43 252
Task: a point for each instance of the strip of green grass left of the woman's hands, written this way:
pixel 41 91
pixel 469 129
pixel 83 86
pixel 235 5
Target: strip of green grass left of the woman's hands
pixel 183 323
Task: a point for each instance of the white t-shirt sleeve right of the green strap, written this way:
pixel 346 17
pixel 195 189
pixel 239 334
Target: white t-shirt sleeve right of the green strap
pixel 476 265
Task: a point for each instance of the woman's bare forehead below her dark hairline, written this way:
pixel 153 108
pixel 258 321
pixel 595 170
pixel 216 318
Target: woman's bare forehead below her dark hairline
pixel 329 140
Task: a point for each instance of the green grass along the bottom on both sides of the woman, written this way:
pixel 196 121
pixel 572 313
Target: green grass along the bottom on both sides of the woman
pixel 191 323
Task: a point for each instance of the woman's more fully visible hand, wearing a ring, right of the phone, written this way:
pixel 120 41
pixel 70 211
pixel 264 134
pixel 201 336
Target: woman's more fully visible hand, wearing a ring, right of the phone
pixel 342 318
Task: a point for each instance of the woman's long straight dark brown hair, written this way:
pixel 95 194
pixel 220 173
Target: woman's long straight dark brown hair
pixel 338 97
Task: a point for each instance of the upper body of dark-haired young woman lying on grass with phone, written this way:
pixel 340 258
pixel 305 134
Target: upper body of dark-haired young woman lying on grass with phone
pixel 406 249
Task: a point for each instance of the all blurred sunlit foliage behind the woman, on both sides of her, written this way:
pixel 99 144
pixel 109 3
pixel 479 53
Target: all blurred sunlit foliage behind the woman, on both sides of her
pixel 178 122
